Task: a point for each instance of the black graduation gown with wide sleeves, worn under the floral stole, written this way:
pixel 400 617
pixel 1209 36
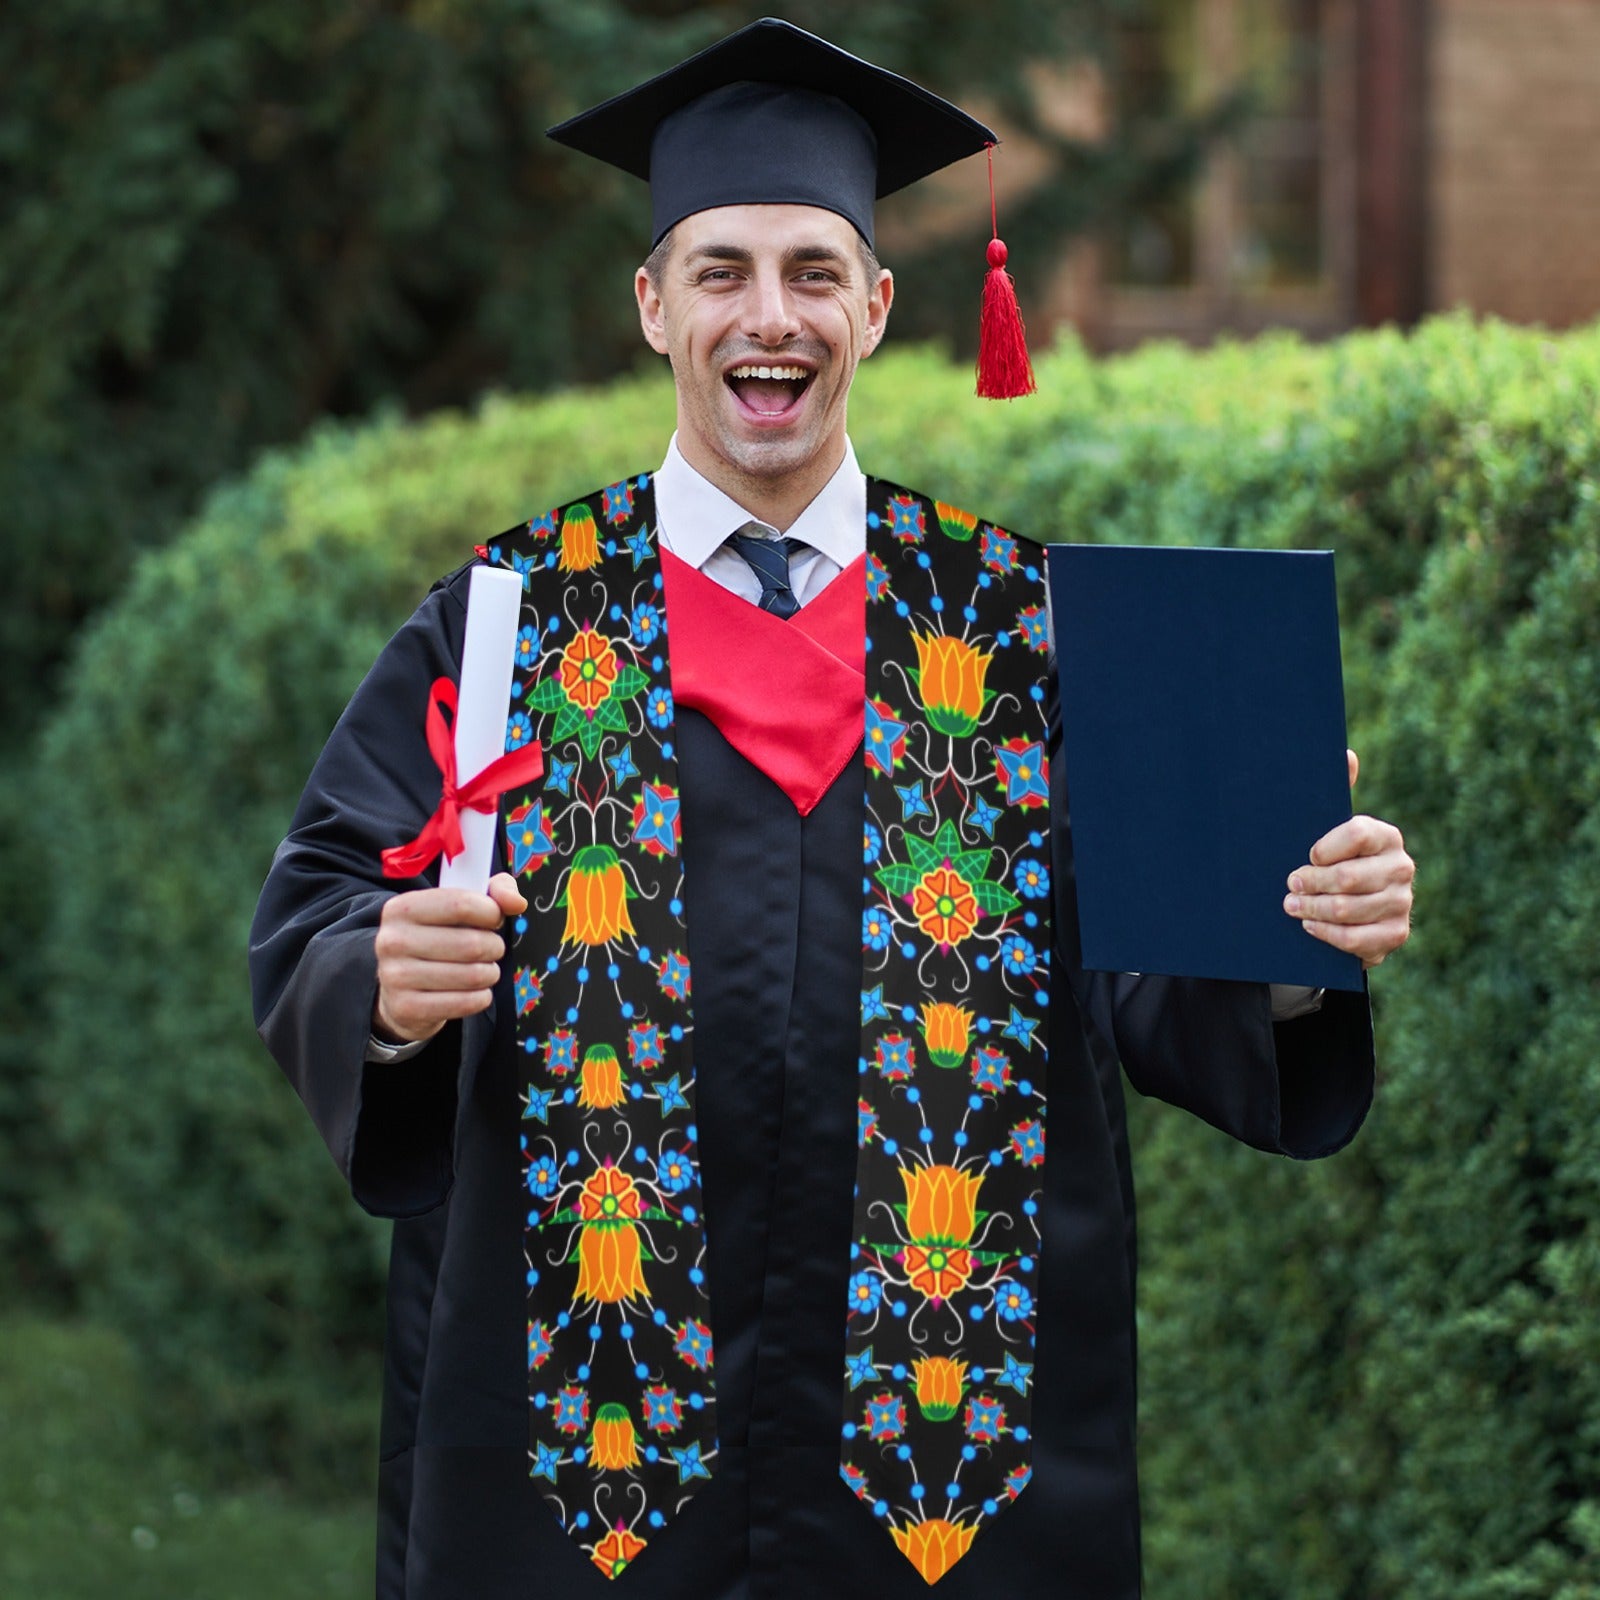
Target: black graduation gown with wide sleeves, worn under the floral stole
pixel 774 921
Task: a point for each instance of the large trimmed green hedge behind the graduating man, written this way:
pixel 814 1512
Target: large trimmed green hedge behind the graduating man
pixel 1370 1378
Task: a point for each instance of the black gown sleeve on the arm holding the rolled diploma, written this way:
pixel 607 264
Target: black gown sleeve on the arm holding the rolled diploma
pixel 313 962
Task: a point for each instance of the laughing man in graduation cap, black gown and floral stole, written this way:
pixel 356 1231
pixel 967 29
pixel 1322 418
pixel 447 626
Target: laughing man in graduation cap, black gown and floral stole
pixel 823 1156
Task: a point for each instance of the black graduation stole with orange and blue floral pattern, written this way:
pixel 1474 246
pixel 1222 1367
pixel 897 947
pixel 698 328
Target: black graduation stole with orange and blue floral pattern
pixel 942 1281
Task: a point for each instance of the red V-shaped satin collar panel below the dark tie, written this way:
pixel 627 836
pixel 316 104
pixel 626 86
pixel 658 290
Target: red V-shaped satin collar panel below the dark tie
pixel 786 695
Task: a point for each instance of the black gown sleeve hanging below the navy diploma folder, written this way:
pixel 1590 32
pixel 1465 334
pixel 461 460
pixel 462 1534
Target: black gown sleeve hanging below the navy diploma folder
pixel 1209 1046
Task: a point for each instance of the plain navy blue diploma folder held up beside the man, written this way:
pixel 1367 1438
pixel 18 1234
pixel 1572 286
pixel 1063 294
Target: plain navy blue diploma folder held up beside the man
pixel 1202 713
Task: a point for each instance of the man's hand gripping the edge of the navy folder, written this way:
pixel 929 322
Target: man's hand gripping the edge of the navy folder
pixel 1356 890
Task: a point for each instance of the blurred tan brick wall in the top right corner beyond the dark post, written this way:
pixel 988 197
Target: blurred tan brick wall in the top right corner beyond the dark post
pixel 1514 161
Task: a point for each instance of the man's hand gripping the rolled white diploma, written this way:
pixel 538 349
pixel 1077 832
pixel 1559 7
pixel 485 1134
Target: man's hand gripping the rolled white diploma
pixel 439 956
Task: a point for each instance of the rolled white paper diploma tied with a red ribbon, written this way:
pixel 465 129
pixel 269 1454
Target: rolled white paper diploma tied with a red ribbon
pixel 487 662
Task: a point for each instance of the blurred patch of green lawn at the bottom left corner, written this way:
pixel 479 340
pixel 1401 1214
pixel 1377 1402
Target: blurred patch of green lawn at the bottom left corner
pixel 92 1505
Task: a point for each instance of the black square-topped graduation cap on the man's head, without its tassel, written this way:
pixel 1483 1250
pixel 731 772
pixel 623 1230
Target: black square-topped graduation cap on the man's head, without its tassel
pixel 775 116
